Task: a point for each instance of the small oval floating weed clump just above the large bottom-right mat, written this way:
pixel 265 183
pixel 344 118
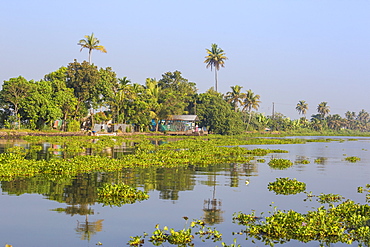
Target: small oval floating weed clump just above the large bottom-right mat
pixel 286 186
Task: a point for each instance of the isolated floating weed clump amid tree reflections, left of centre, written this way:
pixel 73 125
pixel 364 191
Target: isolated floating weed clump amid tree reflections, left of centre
pixel 119 194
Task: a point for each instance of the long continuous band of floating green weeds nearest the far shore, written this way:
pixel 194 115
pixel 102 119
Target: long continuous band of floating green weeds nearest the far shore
pixel 199 153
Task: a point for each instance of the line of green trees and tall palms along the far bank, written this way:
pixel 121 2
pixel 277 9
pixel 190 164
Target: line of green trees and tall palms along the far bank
pixel 82 94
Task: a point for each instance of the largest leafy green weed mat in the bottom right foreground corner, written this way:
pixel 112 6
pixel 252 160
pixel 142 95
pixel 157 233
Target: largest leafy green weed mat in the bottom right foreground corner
pixel 345 223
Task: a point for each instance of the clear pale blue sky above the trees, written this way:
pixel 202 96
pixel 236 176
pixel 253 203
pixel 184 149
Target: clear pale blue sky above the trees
pixel 283 50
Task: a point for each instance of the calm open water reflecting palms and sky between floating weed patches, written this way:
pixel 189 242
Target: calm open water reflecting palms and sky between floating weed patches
pixel 63 212
